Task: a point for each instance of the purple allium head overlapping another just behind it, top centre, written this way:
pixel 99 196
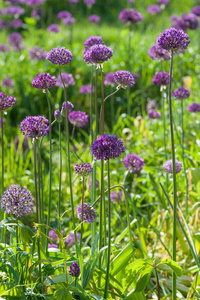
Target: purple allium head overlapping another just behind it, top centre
pixel 97 54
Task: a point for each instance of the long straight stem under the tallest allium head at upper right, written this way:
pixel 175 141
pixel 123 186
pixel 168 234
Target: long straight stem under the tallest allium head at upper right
pixel 174 180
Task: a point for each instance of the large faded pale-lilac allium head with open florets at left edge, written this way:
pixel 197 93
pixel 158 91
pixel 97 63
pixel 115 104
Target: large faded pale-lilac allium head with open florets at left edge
pixel 17 200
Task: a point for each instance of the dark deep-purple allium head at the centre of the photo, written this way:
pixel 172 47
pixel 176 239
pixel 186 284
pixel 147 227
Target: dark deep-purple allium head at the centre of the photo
pixel 107 146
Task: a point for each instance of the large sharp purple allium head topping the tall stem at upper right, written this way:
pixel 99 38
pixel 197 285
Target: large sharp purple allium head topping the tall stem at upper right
pixel 173 39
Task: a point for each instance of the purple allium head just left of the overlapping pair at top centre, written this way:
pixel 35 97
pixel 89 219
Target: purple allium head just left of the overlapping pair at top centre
pixel 59 56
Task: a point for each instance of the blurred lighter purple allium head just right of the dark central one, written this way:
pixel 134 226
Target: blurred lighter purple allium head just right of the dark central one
pixel 133 163
